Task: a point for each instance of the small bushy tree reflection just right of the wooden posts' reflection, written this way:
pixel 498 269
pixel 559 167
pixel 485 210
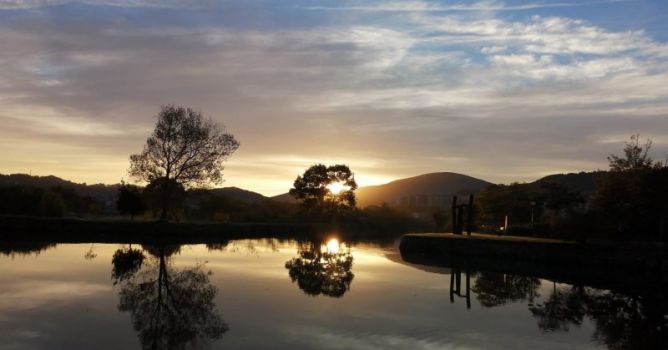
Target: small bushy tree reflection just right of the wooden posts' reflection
pixel 493 289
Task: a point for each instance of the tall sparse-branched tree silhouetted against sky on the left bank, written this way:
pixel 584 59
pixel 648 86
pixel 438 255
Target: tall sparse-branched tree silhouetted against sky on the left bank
pixel 184 148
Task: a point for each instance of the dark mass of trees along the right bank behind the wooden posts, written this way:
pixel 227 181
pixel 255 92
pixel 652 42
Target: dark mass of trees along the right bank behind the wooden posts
pixel 629 201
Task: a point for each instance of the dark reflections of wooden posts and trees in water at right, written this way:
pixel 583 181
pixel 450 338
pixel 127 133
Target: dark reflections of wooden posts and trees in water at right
pixel 621 320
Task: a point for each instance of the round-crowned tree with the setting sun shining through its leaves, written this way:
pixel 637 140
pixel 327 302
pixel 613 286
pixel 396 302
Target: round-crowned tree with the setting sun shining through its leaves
pixel 312 189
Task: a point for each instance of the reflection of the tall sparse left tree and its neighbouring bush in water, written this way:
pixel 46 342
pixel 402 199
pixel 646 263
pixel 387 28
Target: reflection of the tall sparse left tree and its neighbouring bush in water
pixel 170 308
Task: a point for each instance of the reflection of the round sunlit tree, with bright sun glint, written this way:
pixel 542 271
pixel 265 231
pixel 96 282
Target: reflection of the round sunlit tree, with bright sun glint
pixel 322 268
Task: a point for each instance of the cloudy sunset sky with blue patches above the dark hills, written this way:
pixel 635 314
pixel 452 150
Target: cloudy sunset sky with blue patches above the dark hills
pixel 501 90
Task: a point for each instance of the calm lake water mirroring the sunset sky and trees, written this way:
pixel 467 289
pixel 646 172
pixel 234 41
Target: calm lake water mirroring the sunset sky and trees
pixel 271 294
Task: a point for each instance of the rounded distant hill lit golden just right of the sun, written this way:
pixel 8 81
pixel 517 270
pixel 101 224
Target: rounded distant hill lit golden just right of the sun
pixel 434 189
